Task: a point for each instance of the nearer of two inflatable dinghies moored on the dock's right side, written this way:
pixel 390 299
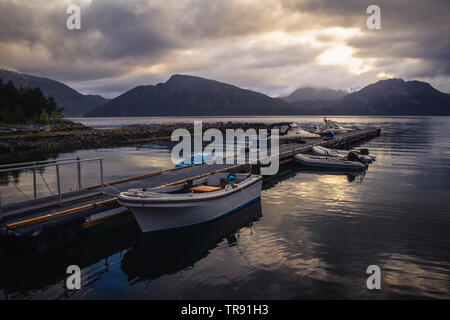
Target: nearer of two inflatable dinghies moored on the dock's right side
pixel 328 162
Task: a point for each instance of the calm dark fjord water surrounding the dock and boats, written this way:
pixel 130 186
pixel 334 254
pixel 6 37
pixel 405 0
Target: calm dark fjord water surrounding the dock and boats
pixel 312 235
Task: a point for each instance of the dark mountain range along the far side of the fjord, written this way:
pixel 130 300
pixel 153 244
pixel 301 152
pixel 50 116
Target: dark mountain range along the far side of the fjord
pixel 185 95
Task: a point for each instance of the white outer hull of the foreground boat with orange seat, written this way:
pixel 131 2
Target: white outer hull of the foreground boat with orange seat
pixel 160 216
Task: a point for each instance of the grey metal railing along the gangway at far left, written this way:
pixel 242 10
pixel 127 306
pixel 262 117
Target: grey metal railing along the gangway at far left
pixel 33 166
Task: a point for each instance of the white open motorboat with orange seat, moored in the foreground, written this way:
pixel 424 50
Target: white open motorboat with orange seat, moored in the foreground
pixel 193 202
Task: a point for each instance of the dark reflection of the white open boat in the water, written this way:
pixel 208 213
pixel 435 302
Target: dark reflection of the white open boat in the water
pixel 168 252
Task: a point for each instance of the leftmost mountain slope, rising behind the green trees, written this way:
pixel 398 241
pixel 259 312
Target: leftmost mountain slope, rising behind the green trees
pixel 73 102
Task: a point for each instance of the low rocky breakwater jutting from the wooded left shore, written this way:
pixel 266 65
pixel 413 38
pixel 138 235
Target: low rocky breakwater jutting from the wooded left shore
pixel 62 138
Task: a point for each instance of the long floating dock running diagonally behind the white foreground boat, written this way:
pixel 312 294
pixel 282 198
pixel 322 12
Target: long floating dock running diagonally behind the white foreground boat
pixel 57 220
